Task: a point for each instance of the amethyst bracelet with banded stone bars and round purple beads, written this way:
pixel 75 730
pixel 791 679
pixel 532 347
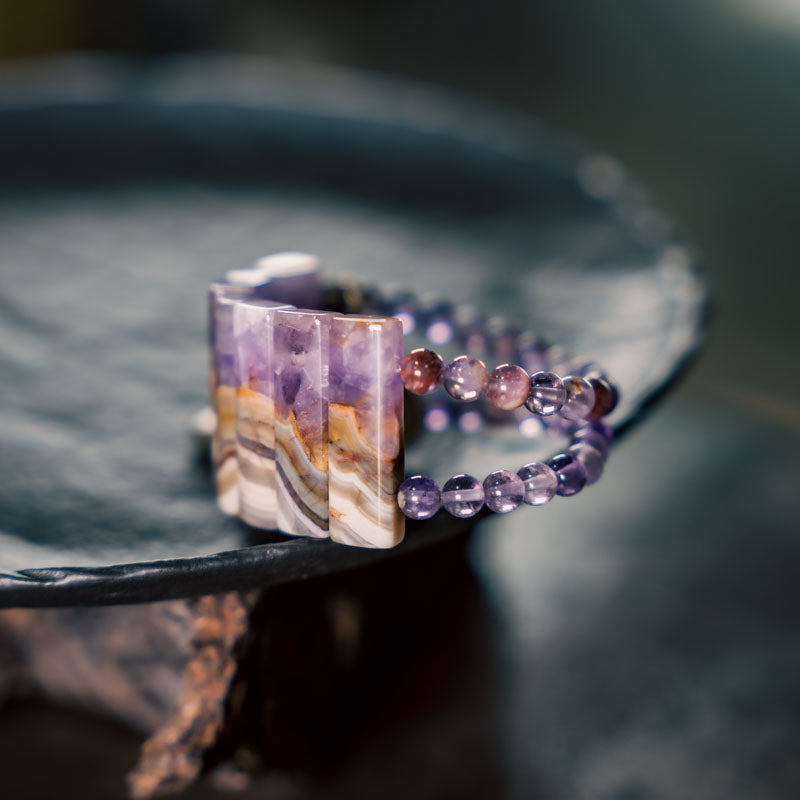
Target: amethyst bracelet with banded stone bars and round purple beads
pixel 308 380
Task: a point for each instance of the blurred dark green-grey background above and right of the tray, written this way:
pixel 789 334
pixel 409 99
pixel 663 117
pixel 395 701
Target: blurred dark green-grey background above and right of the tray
pixel 660 657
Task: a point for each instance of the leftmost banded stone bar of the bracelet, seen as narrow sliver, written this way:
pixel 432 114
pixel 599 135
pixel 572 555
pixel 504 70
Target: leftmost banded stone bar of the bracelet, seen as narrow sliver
pixel 222 299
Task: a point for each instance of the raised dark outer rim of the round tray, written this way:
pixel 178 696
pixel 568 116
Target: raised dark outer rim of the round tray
pixel 277 85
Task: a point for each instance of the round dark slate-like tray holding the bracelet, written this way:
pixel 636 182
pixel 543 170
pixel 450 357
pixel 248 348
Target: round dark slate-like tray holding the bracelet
pixel 125 190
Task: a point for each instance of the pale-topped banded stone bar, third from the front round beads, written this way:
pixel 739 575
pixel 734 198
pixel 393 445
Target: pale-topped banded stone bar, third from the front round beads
pixel 255 411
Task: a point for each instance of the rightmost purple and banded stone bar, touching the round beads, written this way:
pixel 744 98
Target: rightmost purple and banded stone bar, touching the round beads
pixel 365 428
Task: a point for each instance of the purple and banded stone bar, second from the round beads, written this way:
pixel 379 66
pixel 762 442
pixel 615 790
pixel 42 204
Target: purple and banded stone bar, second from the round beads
pixel 300 361
